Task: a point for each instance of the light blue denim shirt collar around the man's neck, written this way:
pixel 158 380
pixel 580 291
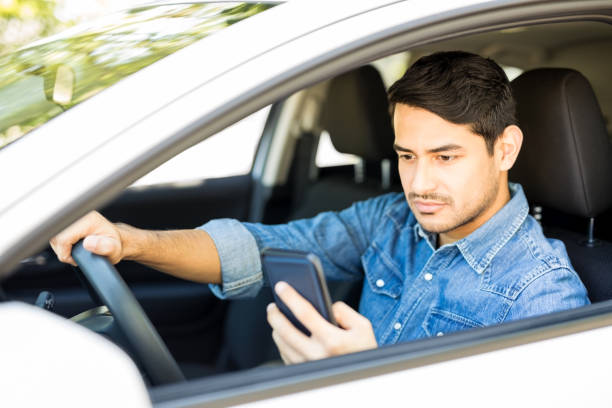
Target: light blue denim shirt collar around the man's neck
pixel 480 247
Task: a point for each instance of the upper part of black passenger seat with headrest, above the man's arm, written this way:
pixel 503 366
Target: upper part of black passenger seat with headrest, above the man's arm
pixel 356 116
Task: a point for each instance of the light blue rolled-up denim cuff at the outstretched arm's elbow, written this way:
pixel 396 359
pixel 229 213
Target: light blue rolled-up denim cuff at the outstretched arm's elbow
pixel 239 255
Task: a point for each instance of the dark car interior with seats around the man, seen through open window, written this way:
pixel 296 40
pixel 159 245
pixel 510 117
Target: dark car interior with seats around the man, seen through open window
pixel 560 75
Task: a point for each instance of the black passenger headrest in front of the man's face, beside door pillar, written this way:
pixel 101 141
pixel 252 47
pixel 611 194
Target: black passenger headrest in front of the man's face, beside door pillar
pixel 356 115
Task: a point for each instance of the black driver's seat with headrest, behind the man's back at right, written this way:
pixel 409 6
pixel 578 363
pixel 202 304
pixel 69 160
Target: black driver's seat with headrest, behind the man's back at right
pixel 565 165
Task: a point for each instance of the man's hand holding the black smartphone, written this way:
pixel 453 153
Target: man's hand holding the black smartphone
pixel 326 340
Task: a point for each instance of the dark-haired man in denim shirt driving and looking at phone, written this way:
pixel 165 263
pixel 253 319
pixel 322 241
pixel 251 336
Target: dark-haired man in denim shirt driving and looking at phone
pixel 456 250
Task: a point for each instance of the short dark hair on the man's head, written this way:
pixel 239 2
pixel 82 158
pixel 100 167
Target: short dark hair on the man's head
pixel 462 88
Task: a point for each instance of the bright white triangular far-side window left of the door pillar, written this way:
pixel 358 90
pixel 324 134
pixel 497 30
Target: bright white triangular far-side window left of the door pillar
pixel 216 156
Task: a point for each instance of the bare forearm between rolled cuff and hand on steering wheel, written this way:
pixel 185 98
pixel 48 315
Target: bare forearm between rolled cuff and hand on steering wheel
pixel 187 254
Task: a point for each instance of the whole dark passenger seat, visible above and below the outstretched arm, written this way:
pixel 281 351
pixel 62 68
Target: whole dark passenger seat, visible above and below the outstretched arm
pixel 355 114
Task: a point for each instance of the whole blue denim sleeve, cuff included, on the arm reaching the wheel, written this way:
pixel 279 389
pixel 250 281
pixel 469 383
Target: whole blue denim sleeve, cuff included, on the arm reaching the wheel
pixel 337 238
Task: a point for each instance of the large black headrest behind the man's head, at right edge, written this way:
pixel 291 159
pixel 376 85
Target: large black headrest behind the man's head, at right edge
pixel 565 162
